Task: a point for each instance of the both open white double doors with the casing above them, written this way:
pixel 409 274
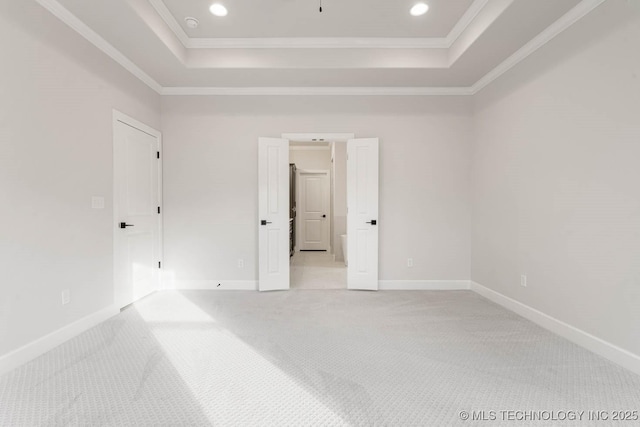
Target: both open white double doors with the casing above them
pixel 275 224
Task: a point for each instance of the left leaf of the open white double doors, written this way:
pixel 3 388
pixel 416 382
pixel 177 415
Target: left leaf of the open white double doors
pixel 273 209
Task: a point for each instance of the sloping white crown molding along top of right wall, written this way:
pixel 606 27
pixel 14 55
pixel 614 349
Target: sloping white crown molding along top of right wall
pixel 567 20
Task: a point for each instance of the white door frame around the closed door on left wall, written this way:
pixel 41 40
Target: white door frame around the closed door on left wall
pixel 119 116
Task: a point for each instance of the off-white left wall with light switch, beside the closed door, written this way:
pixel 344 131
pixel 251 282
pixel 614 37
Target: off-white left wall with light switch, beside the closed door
pixel 57 92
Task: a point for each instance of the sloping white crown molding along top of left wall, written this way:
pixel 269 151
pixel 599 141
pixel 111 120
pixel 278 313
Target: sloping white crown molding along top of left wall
pixel 81 28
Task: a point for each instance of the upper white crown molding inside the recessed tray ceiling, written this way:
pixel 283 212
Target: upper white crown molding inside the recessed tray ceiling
pixel 320 42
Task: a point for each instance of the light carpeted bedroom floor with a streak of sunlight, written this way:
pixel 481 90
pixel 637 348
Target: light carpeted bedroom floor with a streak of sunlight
pixel 322 357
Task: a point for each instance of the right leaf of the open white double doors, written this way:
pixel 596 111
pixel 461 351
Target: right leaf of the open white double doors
pixel 362 213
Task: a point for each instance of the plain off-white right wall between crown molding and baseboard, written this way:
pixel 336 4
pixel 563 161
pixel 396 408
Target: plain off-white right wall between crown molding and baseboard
pixel 556 178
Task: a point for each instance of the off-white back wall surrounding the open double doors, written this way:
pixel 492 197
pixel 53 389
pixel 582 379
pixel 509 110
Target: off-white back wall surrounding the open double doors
pixel 210 172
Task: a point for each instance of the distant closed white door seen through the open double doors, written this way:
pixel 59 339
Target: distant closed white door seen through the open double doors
pixel 313 211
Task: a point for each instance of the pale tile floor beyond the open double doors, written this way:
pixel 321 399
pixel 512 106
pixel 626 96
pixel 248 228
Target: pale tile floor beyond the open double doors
pixel 317 270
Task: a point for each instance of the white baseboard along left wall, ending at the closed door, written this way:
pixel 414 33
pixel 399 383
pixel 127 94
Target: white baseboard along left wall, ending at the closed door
pixel 40 346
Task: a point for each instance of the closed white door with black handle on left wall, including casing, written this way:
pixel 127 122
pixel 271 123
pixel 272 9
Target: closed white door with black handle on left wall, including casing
pixel 137 201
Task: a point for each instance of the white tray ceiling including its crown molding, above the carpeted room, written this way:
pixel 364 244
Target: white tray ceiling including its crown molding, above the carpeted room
pixel 357 47
